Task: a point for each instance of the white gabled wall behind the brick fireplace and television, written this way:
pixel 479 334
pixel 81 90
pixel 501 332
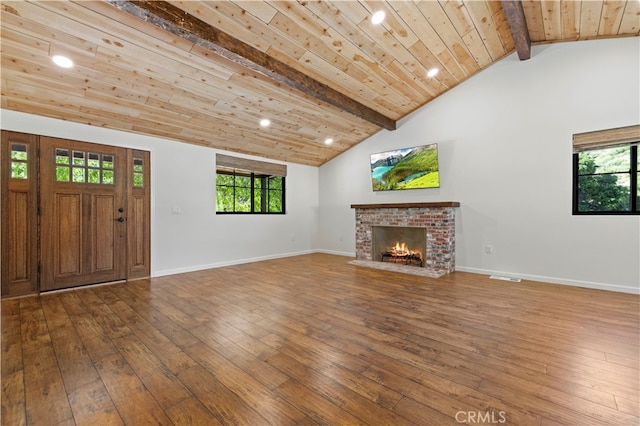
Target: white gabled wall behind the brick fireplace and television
pixel 505 154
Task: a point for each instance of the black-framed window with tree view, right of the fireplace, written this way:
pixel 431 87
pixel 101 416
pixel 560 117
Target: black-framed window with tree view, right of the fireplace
pixel 606 177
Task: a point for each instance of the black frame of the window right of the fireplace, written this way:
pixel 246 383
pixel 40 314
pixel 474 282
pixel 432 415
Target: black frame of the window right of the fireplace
pixel 633 187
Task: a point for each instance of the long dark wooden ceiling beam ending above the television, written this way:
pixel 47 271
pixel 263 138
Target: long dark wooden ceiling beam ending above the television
pixel 170 18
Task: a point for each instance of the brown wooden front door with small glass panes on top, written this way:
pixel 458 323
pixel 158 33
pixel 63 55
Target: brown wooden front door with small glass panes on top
pixel 83 229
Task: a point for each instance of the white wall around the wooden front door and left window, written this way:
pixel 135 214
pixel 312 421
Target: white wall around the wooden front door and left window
pixel 183 176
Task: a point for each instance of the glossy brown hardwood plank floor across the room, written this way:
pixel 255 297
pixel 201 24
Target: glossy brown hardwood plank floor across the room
pixel 313 340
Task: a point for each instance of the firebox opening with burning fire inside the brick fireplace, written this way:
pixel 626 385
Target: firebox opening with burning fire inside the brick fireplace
pixel 399 244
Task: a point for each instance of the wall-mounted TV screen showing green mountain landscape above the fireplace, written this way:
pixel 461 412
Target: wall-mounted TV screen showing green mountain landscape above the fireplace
pixel 408 168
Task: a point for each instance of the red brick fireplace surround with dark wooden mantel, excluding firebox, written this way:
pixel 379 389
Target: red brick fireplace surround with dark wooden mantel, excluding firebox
pixel 438 219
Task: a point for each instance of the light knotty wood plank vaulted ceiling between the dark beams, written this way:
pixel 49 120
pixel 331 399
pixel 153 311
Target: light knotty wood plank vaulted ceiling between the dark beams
pixel 134 75
